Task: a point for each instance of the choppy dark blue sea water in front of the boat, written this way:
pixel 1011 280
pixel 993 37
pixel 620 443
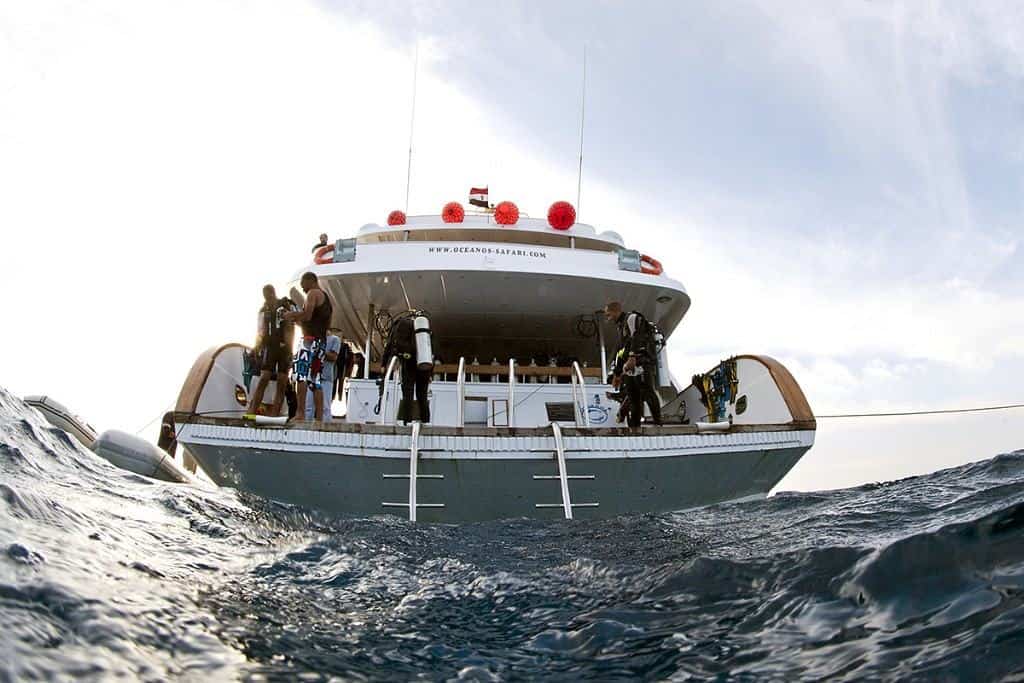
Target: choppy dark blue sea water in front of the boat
pixel 105 574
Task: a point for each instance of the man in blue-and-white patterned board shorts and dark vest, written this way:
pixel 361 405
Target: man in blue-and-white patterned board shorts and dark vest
pixel 315 319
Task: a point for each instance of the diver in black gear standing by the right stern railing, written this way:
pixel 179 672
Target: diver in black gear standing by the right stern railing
pixel 636 365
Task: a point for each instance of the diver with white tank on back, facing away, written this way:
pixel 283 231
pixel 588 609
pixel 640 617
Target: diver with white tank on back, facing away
pixel 409 340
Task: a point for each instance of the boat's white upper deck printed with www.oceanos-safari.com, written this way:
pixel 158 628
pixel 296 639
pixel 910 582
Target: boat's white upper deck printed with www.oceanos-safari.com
pixel 527 289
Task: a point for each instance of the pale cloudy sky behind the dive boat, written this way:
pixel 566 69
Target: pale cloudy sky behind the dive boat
pixel 838 186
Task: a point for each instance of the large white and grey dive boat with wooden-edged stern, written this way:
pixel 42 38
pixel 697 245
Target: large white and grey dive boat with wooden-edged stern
pixel 524 422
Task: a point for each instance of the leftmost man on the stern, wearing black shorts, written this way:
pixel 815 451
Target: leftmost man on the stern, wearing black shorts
pixel 274 349
